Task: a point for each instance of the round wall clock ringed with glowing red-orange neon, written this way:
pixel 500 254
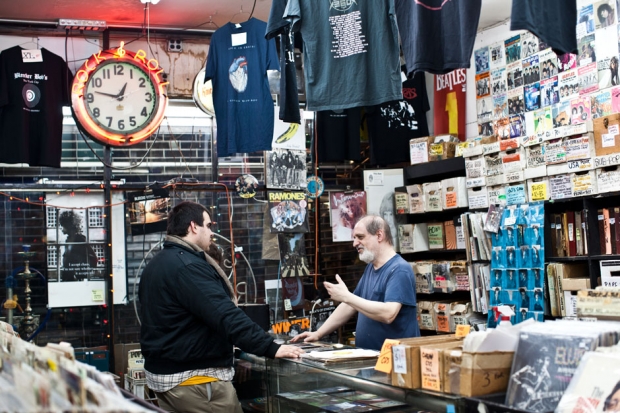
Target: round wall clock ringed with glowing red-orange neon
pixel 118 97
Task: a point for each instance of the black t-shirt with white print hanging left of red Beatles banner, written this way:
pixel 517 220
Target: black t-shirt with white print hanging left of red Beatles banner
pixel 392 124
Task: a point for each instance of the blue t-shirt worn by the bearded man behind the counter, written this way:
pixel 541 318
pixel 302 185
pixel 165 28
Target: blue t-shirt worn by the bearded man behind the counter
pixel 393 282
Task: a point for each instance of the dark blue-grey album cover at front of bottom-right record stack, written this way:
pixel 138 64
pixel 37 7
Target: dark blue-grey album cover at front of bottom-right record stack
pixel 542 368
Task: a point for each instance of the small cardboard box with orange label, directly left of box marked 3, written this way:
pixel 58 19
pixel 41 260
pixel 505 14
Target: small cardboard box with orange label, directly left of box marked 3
pixel 432 359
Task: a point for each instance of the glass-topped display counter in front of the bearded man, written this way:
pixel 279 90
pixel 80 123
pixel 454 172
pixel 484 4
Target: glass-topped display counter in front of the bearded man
pixel 350 382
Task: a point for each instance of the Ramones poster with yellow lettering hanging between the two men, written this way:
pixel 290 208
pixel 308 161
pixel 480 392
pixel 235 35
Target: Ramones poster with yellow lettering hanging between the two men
pixel 288 211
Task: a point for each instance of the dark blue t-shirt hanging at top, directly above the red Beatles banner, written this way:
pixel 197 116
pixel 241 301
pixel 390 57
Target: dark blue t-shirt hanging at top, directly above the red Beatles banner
pixel 437 36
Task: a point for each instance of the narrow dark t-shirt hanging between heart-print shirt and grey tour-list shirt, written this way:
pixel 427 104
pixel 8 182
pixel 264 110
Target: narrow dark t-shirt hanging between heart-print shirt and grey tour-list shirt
pixel 289 98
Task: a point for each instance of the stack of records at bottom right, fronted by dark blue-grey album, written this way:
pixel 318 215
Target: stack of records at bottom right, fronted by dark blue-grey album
pixel 547 357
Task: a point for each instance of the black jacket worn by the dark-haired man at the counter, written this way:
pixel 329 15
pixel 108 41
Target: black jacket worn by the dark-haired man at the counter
pixel 188 319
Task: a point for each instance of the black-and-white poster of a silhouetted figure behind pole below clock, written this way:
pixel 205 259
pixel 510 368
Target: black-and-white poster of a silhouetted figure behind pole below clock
pixel 76 261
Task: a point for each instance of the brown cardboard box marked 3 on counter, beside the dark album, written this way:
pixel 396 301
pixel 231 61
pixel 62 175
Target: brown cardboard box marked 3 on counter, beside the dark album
pixel 478 374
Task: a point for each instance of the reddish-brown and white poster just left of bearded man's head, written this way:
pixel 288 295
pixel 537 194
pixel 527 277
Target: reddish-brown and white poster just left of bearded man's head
pixel 346 209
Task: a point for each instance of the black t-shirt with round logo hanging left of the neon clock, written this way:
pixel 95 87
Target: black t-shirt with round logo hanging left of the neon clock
pixel 31 99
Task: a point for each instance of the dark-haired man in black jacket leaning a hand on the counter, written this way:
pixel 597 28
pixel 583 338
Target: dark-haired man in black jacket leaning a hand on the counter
pixel 190 321
